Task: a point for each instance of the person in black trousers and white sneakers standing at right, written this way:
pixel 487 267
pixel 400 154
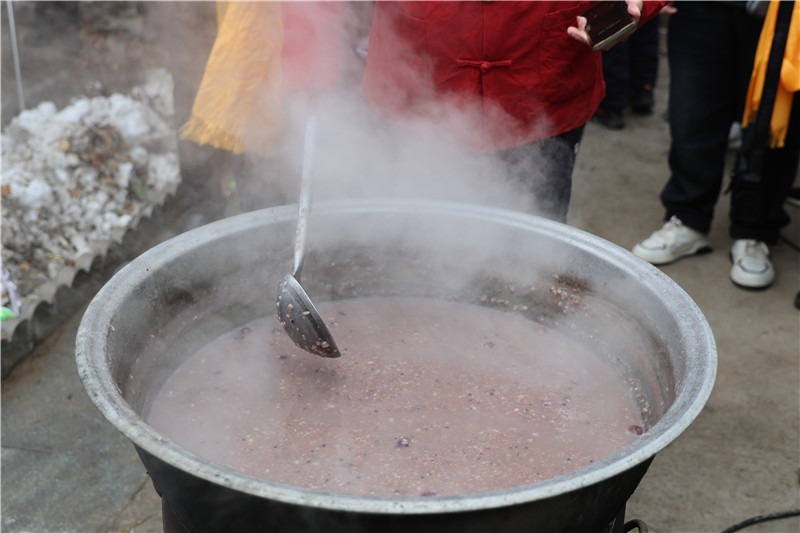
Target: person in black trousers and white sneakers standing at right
pixel 711 51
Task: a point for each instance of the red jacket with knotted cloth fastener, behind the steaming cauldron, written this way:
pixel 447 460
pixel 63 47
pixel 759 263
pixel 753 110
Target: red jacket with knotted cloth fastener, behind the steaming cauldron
pixel 509 69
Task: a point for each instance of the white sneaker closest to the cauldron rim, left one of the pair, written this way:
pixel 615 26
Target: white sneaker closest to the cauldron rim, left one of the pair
pixel 671 242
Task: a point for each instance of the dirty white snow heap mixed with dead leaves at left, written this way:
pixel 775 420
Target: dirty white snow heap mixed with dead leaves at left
pixel 75 180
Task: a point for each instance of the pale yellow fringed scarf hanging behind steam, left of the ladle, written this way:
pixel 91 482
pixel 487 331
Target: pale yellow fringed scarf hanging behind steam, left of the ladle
pixel 238 105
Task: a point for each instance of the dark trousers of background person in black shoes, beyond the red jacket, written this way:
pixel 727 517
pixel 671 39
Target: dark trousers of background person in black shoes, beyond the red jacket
pixel 631 66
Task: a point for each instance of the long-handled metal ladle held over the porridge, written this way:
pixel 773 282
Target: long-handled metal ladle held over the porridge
pixel 298 316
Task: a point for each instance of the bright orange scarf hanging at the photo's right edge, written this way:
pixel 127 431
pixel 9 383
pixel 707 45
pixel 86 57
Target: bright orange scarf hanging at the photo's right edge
pixel 789 80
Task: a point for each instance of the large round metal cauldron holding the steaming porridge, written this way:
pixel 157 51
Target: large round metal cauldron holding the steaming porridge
pixel 183 293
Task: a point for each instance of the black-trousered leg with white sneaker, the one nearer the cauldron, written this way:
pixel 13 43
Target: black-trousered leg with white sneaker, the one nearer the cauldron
pixel 707 88
